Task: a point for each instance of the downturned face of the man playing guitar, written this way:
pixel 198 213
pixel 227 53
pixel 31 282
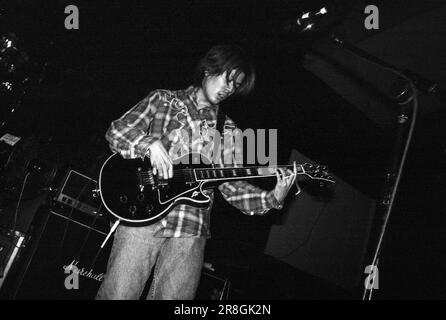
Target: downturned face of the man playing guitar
pixel 220 87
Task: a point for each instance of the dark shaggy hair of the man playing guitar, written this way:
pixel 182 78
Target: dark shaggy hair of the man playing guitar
pixel 227 58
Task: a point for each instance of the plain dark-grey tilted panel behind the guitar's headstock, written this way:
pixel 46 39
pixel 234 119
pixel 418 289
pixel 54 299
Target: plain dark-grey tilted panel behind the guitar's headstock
pixel 324 231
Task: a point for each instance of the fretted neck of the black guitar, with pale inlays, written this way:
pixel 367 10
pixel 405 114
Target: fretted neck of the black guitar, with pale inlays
pixel 237 173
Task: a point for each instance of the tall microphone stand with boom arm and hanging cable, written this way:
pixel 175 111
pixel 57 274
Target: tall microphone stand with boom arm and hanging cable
pixel 393 176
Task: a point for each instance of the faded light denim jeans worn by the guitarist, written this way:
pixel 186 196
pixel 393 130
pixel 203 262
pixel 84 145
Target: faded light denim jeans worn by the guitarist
pixel 178 263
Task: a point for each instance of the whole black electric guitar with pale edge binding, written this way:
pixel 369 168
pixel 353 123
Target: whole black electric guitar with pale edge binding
pixel 133 194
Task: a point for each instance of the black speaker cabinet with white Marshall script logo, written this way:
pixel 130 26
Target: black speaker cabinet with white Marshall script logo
pixel 63 259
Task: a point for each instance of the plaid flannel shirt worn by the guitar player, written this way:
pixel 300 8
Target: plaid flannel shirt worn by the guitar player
pixel 173 118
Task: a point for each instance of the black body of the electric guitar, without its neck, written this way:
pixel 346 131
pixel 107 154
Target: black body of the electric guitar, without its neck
pixel 134 195
